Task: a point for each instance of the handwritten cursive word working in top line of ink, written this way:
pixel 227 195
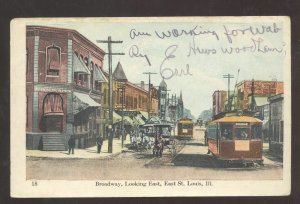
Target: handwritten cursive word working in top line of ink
pixel 179 32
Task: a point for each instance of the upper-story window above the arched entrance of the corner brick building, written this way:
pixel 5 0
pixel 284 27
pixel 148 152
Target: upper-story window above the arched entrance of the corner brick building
pixel 53 60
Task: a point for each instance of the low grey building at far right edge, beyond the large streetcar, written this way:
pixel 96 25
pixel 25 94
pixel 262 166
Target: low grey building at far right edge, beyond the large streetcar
pixel 276 124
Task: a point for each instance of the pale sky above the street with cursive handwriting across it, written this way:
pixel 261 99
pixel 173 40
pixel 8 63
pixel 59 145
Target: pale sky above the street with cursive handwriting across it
pixel 197 47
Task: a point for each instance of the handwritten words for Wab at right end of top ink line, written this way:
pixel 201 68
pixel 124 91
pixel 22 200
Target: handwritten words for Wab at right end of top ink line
pixel 250 30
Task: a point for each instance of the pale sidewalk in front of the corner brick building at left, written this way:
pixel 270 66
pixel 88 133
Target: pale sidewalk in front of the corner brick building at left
pixel 88 153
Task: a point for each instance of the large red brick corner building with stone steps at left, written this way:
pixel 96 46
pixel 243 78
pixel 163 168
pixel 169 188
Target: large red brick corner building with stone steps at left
pixel 63 88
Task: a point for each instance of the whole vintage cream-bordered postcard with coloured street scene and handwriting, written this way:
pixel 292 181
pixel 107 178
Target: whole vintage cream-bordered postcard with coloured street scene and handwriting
pixel 156 106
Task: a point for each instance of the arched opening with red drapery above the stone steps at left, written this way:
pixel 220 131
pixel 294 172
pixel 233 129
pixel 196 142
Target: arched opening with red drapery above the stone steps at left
pixel 53 113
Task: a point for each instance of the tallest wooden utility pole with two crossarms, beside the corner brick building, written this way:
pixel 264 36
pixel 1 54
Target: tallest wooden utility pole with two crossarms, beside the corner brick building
pixel 109 42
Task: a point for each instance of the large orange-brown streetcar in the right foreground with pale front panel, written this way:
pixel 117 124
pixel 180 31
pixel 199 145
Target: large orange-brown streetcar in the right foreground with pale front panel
pixel 236 139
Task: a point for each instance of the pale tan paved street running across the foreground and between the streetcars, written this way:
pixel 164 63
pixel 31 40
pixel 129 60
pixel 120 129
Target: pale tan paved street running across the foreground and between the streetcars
pixel 191 162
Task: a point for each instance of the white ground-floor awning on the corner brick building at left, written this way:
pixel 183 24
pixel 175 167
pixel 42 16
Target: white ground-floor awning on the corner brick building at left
pixel 82 101
